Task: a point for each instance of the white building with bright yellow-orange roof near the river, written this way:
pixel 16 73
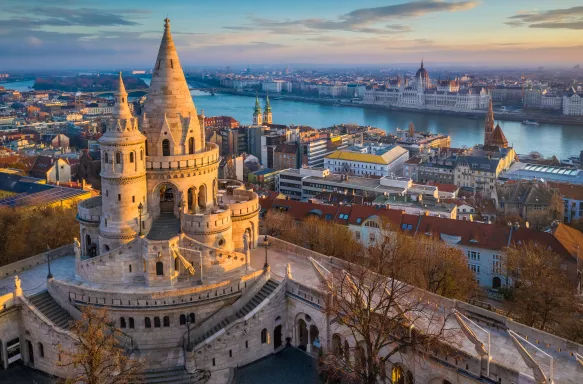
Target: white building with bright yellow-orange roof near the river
pixel 368 161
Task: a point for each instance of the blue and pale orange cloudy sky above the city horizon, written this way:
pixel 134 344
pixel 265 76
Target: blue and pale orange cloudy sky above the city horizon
pixel 114 34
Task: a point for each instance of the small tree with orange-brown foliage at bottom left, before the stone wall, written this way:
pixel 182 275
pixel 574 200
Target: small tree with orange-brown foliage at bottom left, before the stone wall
pixel 99 356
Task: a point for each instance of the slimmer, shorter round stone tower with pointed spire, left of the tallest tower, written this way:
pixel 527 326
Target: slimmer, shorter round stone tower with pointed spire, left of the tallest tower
pixel 123 176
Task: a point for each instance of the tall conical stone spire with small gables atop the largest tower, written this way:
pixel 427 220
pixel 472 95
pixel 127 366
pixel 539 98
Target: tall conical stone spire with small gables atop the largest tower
pixel 169 120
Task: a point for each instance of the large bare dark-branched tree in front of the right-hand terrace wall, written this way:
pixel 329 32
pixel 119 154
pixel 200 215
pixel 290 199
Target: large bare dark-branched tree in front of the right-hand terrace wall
pixel 384 319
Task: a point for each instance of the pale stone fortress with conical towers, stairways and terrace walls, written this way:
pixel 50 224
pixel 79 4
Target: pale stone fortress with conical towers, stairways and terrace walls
pixel 174 255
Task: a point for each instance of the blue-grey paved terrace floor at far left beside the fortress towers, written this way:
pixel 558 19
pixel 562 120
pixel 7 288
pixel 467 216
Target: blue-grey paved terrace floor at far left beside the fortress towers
pixel 34 280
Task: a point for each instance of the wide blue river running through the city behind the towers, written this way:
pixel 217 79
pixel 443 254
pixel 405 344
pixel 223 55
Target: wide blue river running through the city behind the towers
pixel 561 140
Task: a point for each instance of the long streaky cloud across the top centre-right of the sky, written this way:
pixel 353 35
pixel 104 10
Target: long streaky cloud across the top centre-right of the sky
pixel 364 20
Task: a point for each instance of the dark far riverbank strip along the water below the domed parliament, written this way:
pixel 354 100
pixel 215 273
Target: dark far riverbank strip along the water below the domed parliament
pixel 476 115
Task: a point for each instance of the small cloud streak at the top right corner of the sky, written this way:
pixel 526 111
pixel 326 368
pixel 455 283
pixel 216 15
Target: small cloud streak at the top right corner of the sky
pixel 567 18
